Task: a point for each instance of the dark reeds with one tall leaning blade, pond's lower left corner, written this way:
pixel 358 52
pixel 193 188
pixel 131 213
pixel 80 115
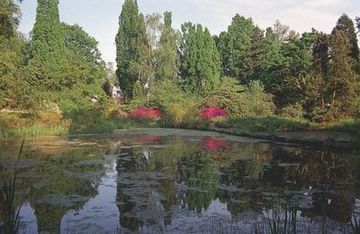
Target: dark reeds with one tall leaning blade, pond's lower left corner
pixel 9 210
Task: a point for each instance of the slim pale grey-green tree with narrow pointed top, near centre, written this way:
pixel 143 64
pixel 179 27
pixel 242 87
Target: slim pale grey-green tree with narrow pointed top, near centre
pixel 167 56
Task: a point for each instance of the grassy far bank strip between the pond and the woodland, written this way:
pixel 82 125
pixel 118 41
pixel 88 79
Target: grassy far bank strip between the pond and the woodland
pixel 92 121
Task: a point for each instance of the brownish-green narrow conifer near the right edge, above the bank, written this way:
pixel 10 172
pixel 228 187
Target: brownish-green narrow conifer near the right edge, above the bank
pixel 341 83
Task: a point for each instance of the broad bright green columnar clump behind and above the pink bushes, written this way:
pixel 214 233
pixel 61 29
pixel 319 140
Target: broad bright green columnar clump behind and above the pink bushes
pixel 200 61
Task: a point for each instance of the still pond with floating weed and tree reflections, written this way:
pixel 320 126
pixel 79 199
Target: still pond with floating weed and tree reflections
pixel 178 181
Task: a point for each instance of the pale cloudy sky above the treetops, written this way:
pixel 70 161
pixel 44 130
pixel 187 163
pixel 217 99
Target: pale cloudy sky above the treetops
pixel 100 17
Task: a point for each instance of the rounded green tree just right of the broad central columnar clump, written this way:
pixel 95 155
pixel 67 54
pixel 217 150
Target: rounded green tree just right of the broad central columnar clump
pixel 235 46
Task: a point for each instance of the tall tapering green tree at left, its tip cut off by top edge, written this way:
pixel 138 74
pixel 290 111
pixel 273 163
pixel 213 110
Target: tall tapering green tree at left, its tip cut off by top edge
pixel 47 52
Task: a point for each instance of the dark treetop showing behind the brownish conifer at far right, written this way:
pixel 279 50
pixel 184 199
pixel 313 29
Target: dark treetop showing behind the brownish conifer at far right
pixel 346 25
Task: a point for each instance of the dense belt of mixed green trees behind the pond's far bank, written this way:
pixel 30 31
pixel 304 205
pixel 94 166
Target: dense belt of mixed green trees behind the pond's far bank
pixel 246 70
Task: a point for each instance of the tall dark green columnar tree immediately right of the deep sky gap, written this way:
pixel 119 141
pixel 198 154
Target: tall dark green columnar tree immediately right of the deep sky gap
pixel 132 50
